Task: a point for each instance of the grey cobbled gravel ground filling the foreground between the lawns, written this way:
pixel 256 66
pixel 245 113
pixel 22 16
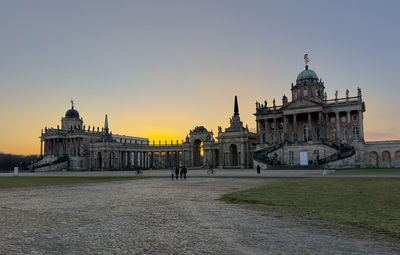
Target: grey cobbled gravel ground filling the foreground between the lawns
pixel 160 216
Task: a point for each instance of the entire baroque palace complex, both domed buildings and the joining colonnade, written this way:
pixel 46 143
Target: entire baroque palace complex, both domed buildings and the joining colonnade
pixel 309 131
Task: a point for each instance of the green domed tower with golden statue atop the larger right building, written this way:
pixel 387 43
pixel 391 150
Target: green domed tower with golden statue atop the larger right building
pixel 308 85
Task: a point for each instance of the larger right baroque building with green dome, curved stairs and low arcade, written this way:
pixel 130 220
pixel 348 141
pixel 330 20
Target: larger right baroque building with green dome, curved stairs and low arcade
pixel 313 131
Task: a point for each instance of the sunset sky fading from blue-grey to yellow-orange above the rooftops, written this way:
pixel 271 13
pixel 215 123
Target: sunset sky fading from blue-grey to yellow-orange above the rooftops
pixel 160 68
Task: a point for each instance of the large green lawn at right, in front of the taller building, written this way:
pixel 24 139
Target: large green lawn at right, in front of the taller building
pixel 365 202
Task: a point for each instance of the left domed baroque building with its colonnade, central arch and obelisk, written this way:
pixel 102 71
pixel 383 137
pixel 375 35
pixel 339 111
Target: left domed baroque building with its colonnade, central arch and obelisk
pixel 77 147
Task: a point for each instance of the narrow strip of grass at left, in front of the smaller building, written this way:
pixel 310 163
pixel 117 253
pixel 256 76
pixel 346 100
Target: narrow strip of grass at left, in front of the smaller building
pixel 29 181
